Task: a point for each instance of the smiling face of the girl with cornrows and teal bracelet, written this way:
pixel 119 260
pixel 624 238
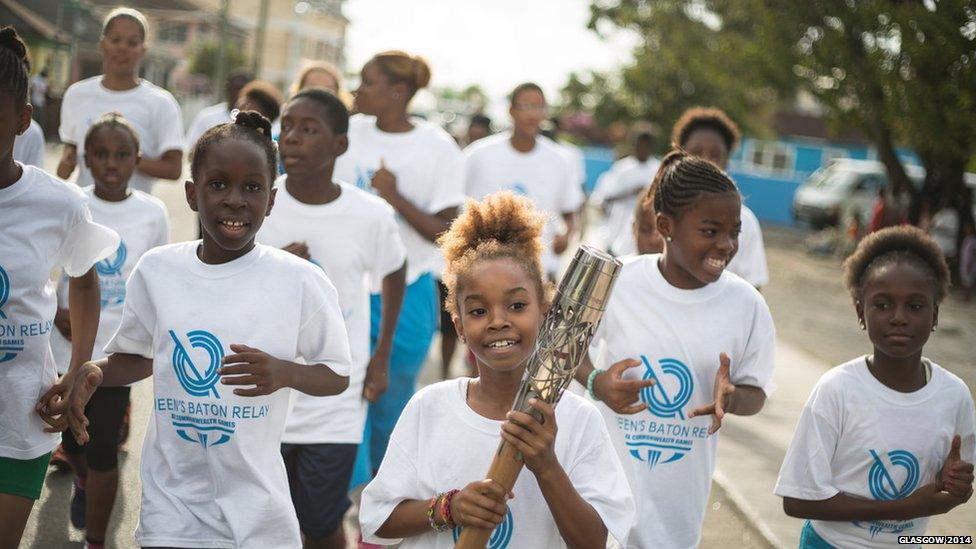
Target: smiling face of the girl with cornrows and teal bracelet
pixel 704 239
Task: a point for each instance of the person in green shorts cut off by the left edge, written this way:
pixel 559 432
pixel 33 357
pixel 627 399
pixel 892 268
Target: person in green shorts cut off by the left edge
pixel 46 225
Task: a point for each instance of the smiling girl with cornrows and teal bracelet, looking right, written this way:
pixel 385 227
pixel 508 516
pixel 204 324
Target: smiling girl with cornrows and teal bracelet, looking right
pixel 687 339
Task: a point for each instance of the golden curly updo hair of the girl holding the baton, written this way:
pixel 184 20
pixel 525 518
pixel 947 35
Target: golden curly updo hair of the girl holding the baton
pixel 502 225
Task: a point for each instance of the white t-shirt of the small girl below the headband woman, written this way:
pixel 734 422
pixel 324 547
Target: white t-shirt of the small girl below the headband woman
pixel 142 223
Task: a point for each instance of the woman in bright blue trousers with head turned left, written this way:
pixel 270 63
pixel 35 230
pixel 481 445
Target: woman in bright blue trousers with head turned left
pixel 416 167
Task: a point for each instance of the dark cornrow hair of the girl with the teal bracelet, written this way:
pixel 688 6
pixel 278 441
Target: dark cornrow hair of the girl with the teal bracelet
pixel 682 179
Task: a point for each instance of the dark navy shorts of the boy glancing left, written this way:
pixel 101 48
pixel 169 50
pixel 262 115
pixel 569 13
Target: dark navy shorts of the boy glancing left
pixel 318 478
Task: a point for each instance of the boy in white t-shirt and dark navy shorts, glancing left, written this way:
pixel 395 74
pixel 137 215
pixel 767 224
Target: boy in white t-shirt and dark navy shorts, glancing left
pixel 353 236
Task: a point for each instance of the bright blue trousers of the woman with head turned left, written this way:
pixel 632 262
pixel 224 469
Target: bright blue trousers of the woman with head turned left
pixel 414 333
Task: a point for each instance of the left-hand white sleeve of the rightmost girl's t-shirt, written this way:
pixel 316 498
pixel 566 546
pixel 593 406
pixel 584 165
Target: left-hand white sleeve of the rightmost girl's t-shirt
pixel 806 473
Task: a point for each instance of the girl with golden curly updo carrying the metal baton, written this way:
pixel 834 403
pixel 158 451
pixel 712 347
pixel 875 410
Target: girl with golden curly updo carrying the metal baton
pixel 431 483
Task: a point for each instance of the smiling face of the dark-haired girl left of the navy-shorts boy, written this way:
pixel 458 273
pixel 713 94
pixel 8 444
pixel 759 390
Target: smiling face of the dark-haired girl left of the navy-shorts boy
pixel 232 193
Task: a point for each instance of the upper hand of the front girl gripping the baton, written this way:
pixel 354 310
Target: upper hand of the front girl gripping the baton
pixel 532 438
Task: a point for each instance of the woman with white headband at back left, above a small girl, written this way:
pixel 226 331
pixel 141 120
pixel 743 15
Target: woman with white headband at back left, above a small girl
pixel 151 110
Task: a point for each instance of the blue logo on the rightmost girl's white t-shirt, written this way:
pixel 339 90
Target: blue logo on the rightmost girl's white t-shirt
pixel 883 487
